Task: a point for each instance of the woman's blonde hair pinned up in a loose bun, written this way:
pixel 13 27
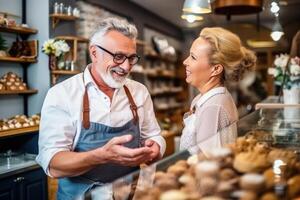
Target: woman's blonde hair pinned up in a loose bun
pixel 227 50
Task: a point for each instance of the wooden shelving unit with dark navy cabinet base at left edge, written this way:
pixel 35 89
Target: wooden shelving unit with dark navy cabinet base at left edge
pixel 22 180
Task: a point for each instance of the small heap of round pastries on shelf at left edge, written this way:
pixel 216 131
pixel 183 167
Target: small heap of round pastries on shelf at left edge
pixel 12 81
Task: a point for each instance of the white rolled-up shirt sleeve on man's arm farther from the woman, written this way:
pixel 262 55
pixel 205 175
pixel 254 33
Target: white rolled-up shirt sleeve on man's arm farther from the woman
pixel 57 131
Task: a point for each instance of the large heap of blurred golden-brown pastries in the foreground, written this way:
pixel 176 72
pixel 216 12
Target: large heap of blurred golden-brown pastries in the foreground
pixel 246 170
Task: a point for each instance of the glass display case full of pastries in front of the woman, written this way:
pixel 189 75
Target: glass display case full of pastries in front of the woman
pixel 263 163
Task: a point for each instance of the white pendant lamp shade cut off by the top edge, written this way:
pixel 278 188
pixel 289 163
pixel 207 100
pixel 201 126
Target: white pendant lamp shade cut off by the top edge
pixel 197 6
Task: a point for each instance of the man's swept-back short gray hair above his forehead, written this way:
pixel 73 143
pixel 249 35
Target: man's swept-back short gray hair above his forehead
pixel 110 24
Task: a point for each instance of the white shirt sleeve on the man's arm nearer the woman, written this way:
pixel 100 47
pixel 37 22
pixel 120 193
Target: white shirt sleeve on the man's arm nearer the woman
pixel 149 127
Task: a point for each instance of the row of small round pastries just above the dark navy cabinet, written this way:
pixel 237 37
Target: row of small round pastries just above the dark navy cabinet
pixel 19 121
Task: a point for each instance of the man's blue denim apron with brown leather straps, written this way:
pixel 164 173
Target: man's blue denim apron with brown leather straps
pixel 92 136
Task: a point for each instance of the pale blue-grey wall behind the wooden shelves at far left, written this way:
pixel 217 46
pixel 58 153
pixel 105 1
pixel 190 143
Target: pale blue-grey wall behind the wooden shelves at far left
pixel 38 74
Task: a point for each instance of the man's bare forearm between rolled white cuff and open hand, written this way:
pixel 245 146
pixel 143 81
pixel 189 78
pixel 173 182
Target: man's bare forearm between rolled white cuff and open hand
pixel 67 163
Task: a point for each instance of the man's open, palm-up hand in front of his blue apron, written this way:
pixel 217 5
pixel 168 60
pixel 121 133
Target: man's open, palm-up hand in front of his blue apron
pixel 115 152
